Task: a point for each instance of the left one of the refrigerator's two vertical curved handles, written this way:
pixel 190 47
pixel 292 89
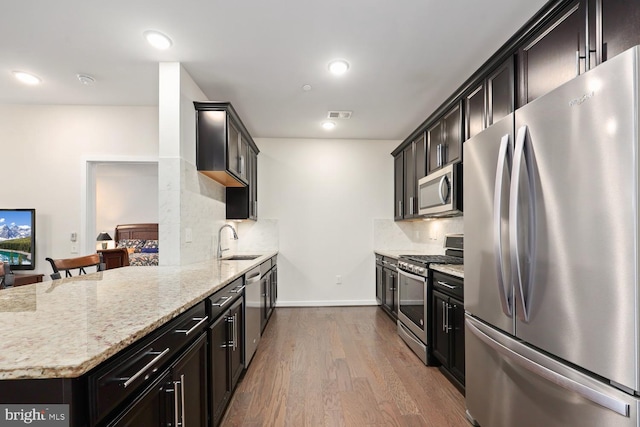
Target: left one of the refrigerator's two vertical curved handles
pixel 503 291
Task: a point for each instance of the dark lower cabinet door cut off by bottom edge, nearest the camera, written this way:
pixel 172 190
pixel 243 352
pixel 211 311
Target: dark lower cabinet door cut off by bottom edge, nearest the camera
pixel 152 408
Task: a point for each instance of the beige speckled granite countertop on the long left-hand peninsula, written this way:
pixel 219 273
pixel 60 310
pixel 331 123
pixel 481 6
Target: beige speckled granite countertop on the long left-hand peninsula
pixel 64 328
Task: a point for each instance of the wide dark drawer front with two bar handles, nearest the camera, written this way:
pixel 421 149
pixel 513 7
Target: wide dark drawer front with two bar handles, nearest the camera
pixel 138 365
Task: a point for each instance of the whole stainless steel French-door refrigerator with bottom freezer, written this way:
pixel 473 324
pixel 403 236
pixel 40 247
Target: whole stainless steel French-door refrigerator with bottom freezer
pixel 552 256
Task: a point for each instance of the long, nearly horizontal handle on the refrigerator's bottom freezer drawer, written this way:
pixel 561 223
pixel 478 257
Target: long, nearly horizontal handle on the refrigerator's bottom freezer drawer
pixel 583 390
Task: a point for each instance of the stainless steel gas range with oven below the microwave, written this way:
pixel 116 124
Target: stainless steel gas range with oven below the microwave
pixel 414 295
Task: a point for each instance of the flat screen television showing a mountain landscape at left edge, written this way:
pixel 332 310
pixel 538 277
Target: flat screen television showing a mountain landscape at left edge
pixel 18 238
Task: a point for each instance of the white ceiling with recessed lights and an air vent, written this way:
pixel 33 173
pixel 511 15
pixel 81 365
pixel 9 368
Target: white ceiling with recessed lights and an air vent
pixel 406 56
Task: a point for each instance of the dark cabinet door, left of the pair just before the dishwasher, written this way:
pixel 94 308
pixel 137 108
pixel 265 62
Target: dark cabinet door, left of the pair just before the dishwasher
pixel 220 387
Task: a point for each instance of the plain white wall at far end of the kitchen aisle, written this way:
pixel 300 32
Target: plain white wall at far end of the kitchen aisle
pixel 325 196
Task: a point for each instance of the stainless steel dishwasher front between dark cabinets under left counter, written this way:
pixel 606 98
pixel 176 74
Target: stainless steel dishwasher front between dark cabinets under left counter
pixel 252 313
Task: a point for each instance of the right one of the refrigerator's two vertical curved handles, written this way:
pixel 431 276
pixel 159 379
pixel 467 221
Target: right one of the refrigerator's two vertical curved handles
pixel 514 226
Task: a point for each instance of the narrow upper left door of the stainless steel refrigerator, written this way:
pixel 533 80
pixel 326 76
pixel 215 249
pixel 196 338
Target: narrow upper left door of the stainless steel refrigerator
pixel 488 291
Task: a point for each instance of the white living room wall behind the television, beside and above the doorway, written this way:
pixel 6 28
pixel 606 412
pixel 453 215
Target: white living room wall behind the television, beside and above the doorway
pixel 43 151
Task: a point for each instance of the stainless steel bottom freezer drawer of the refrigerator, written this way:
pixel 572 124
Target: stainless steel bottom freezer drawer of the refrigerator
pixel 510 384
